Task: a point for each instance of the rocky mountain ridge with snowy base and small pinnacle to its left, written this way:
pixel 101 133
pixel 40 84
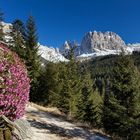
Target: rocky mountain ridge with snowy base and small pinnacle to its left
pixel 96 44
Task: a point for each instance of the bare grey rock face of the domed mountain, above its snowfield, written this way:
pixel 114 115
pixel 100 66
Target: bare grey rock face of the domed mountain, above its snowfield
pixel 93 41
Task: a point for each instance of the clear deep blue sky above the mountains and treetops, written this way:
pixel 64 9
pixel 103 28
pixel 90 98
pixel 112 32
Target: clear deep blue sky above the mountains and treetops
pixel 60 20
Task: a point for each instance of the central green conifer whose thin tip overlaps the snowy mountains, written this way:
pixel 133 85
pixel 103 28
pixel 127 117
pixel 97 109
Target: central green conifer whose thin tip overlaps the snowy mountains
pixel 70 79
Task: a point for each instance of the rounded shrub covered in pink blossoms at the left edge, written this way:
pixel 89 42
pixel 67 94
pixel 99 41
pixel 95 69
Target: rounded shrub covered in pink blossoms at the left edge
pixel 14 84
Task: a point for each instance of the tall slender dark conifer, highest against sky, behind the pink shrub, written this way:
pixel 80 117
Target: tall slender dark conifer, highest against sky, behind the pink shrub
pixel 32 57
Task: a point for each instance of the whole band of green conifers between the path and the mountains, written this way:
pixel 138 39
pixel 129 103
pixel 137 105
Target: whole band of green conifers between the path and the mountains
pixel 105 92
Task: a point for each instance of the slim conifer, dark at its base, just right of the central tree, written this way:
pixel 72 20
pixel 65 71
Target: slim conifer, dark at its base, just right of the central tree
pixel 84 105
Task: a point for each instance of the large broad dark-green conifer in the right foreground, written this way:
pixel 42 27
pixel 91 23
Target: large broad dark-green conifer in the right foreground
pixel 121 103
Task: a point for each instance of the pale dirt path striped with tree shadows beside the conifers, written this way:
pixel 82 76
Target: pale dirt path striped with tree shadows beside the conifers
pixel 45 126
